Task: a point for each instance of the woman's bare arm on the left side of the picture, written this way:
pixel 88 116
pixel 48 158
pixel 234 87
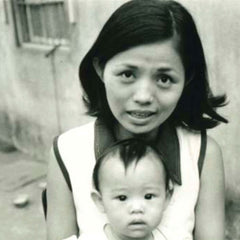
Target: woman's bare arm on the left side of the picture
pixel 61 215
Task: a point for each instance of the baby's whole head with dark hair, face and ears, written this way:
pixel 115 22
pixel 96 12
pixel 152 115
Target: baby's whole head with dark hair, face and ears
pixel 130 188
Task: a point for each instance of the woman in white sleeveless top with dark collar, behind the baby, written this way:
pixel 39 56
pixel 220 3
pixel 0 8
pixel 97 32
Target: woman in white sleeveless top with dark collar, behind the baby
pixel 146 77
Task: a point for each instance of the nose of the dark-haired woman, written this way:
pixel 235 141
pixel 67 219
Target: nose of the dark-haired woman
pixel 144 92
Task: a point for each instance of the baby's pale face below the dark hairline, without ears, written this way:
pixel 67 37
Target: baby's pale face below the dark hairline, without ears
pixel 133 199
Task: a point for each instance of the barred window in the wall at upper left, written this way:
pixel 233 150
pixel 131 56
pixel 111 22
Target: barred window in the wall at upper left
pixel 41 21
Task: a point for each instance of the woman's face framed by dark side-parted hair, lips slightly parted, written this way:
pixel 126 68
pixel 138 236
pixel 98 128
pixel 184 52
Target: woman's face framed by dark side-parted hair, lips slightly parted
pixel 143 86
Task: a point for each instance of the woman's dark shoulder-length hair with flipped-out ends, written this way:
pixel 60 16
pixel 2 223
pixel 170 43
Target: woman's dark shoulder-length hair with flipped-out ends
pixel 147 21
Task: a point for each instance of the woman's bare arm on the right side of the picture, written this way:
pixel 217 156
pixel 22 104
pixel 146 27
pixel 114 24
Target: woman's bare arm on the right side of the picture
pixel 210 211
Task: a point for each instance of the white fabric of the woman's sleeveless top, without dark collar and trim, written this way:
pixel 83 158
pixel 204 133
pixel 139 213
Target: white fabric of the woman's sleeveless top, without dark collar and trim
pixel 76 150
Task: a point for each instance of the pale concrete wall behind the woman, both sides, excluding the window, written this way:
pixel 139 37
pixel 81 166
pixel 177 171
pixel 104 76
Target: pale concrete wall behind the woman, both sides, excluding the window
pixel 37 103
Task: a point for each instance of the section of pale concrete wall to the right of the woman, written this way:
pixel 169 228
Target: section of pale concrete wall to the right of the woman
pixel 219 27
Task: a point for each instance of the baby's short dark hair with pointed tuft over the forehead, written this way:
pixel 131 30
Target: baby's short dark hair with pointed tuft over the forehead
pixel 129 151
